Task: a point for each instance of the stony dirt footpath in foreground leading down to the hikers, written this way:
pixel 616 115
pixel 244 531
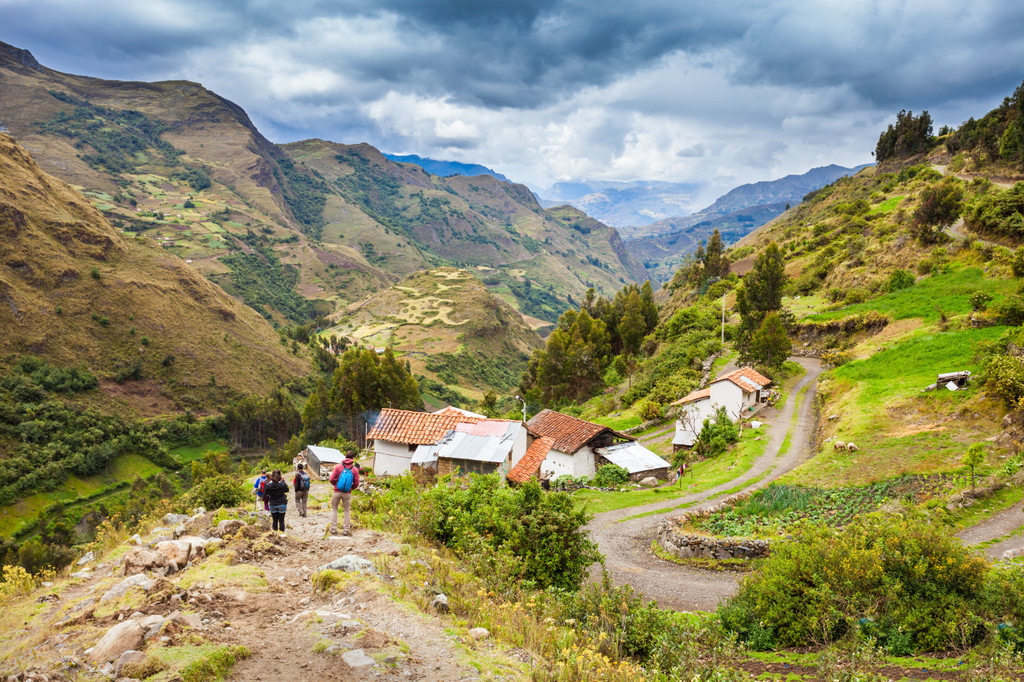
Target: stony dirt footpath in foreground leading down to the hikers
pixel 283 630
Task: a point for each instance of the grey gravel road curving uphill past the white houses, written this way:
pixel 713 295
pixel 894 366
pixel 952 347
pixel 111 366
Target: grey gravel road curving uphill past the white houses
pixel 626 544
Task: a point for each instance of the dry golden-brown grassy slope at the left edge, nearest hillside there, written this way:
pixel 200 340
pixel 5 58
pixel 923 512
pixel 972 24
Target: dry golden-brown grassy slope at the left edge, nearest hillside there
pixel 78 292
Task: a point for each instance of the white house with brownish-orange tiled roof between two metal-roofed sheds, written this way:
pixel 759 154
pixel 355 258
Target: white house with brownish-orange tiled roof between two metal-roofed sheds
pixel 575 443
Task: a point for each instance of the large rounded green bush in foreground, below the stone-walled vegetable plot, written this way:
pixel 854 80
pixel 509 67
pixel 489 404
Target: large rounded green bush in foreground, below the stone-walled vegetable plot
pixel 920 585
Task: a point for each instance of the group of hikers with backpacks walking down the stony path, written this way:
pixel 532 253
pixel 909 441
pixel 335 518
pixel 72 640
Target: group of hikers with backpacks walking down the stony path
pixel 272 491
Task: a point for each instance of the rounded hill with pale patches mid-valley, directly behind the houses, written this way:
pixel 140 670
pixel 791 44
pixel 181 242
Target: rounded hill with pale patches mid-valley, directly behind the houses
pixel 450 329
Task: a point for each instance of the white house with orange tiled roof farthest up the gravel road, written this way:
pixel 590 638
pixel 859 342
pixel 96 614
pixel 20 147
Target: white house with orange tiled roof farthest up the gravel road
pixel 743 393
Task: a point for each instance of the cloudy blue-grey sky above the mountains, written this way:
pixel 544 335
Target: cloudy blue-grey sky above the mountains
pixel 546 91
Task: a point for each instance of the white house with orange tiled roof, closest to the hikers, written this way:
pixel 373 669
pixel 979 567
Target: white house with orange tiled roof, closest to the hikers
pixel 398 434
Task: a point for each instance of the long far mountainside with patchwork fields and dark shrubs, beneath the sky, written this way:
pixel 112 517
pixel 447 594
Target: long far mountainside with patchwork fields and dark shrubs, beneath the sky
pixel 323 223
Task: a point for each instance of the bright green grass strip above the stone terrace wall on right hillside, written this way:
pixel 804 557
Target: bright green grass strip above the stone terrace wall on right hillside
pixel 950 293
